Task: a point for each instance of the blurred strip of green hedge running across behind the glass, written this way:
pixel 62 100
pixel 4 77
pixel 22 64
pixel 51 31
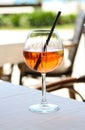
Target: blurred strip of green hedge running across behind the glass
pixel 36 19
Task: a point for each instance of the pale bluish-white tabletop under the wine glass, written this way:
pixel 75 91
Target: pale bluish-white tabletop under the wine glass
pixel 14 113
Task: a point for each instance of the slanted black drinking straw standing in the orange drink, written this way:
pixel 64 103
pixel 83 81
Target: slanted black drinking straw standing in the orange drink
pixel 48 39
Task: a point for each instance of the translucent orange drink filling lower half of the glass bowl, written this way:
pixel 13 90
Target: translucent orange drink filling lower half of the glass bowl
pixel 48 60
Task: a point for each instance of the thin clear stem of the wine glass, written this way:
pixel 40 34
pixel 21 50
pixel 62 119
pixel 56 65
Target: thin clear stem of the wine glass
pixel 44 100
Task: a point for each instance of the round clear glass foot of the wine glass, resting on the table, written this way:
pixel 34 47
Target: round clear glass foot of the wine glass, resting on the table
pixel 44 108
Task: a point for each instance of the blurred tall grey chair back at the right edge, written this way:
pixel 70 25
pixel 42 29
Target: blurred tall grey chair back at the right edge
pixel 79 25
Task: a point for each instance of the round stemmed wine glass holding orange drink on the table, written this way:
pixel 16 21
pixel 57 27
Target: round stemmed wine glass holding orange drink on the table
pixel 43 58
